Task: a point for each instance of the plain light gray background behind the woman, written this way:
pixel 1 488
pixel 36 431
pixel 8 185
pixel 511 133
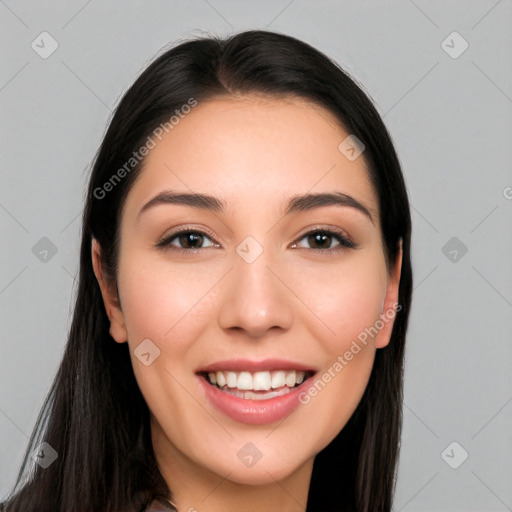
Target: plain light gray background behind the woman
pixel 451 122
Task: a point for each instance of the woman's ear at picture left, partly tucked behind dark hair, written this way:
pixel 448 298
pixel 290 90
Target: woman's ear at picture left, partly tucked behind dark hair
pixel 110 297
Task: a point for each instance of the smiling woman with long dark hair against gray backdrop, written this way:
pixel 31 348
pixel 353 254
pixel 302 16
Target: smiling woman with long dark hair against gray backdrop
pixel 245 283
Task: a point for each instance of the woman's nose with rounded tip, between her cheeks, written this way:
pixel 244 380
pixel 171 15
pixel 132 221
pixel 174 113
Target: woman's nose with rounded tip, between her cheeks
pixel 254 299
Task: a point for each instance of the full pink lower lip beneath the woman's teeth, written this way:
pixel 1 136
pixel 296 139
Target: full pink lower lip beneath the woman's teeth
pixel 253 412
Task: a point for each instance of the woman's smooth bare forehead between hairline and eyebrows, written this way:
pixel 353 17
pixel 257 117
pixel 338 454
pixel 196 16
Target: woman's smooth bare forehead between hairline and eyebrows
pixel 254 152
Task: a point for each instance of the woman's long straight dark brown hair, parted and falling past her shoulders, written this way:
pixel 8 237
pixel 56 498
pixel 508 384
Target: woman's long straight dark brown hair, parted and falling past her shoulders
pixel 95 416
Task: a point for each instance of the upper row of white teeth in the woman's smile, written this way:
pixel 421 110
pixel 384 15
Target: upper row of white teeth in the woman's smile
pixel 258 381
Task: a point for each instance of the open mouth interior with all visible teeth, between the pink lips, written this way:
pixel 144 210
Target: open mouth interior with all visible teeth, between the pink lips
pixel 260 385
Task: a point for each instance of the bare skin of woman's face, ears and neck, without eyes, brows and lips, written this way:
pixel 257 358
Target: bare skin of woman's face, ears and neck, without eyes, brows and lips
pixel 295 302
